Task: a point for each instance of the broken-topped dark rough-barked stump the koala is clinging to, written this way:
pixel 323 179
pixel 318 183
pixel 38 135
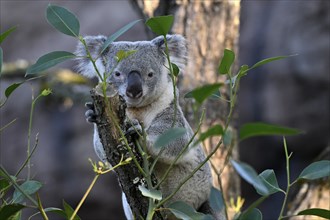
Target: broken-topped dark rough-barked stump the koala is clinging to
pixel 111 111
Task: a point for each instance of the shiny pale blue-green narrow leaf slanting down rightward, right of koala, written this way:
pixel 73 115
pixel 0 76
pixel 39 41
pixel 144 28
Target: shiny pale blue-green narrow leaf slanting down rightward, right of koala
pixel 250 175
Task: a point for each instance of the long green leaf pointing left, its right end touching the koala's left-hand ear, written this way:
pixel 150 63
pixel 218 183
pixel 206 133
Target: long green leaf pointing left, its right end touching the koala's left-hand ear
pixel 49 60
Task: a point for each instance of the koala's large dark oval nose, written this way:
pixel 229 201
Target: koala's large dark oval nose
pixel 134 85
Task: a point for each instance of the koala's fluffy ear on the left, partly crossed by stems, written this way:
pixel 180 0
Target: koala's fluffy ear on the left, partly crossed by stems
pixel 85 66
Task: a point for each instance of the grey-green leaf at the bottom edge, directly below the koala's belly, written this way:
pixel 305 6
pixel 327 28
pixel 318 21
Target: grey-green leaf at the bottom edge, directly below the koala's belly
pixel 182 210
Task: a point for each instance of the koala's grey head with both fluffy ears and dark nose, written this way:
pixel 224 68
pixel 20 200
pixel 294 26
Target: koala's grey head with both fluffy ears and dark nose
pixel 142 77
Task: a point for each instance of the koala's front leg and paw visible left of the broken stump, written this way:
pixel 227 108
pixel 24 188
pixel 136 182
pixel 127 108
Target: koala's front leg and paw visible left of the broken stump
pixel 92 117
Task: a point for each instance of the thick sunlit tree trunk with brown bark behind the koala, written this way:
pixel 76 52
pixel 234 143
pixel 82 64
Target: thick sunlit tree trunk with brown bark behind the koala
pixel 209 27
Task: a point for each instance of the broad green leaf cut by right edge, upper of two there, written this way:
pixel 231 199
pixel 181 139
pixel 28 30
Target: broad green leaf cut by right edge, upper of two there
pixel 316 170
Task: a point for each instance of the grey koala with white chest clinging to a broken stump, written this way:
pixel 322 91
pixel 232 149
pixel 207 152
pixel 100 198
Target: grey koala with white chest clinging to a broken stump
pixel 143 80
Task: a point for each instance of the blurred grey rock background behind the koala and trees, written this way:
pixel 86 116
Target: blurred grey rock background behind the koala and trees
pixel 292 92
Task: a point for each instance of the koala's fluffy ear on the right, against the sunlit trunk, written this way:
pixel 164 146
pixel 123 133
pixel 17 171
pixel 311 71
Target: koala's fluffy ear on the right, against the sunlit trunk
pixel 177 48
